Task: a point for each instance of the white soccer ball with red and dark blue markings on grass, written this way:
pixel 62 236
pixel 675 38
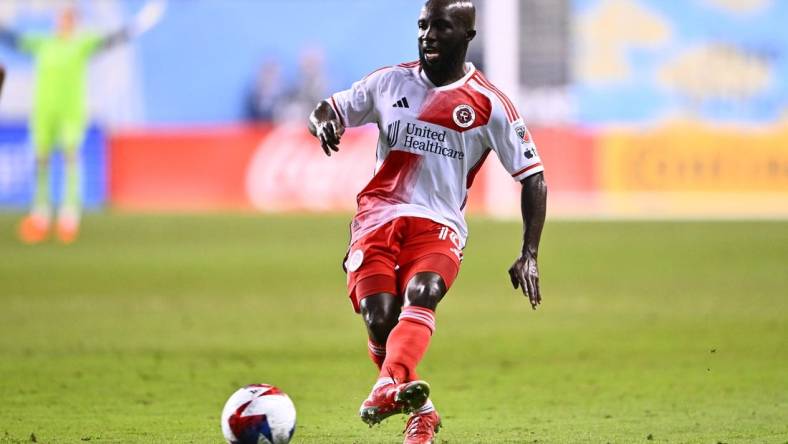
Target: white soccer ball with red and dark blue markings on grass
pixel 258 413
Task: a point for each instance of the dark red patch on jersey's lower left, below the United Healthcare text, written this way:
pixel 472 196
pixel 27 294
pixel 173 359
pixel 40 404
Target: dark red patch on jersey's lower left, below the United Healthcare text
pixel 393 183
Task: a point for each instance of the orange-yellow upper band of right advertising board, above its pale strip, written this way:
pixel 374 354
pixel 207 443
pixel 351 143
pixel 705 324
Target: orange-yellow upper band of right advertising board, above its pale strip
pixel 695 158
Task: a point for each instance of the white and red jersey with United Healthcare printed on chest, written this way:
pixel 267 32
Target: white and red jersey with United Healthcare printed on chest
pixel 433 141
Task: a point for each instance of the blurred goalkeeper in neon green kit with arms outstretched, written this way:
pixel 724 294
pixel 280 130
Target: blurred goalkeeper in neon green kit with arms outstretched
pixel 59 118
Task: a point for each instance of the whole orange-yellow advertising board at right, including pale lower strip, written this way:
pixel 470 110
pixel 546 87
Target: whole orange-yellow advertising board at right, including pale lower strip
pixel 696 170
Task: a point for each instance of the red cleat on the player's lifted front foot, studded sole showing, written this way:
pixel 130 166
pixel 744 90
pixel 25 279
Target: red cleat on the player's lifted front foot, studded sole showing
pixel 392 399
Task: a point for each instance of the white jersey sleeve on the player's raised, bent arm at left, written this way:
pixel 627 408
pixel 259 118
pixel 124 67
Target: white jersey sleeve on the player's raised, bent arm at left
pixel 356 106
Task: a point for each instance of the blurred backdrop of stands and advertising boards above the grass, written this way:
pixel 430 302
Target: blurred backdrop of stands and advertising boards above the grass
pixel 640 108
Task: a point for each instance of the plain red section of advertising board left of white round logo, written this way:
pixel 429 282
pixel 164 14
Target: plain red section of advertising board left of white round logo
pixel 194 169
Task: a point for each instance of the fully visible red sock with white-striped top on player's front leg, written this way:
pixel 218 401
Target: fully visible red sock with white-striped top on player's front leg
pixel 407 343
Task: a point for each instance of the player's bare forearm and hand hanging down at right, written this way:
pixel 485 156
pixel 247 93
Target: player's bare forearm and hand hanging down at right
pixel 524 273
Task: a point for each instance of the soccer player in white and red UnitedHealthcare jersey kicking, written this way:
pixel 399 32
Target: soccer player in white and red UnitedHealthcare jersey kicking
pixel 439 118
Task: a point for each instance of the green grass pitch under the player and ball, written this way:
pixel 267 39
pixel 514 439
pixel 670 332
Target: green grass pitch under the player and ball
pixel 649 332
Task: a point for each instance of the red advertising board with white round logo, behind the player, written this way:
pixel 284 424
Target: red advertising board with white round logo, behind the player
pixel 283 169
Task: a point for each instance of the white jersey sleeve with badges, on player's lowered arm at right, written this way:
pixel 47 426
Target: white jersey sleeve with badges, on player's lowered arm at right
pixel 515 148
